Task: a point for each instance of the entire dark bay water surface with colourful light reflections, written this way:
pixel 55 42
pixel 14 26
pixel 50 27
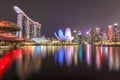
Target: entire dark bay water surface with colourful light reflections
pixel 73 62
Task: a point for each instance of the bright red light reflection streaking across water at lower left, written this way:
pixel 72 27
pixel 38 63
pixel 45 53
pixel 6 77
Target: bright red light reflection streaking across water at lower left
pixel 7 59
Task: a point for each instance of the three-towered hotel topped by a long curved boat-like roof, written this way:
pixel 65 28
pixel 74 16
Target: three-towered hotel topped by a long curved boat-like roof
pixel 29 28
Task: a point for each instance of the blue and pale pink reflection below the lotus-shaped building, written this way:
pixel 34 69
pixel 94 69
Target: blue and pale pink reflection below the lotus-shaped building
pixel 66 54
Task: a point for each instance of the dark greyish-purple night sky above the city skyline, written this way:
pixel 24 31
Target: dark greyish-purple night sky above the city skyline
pixel 54 14
